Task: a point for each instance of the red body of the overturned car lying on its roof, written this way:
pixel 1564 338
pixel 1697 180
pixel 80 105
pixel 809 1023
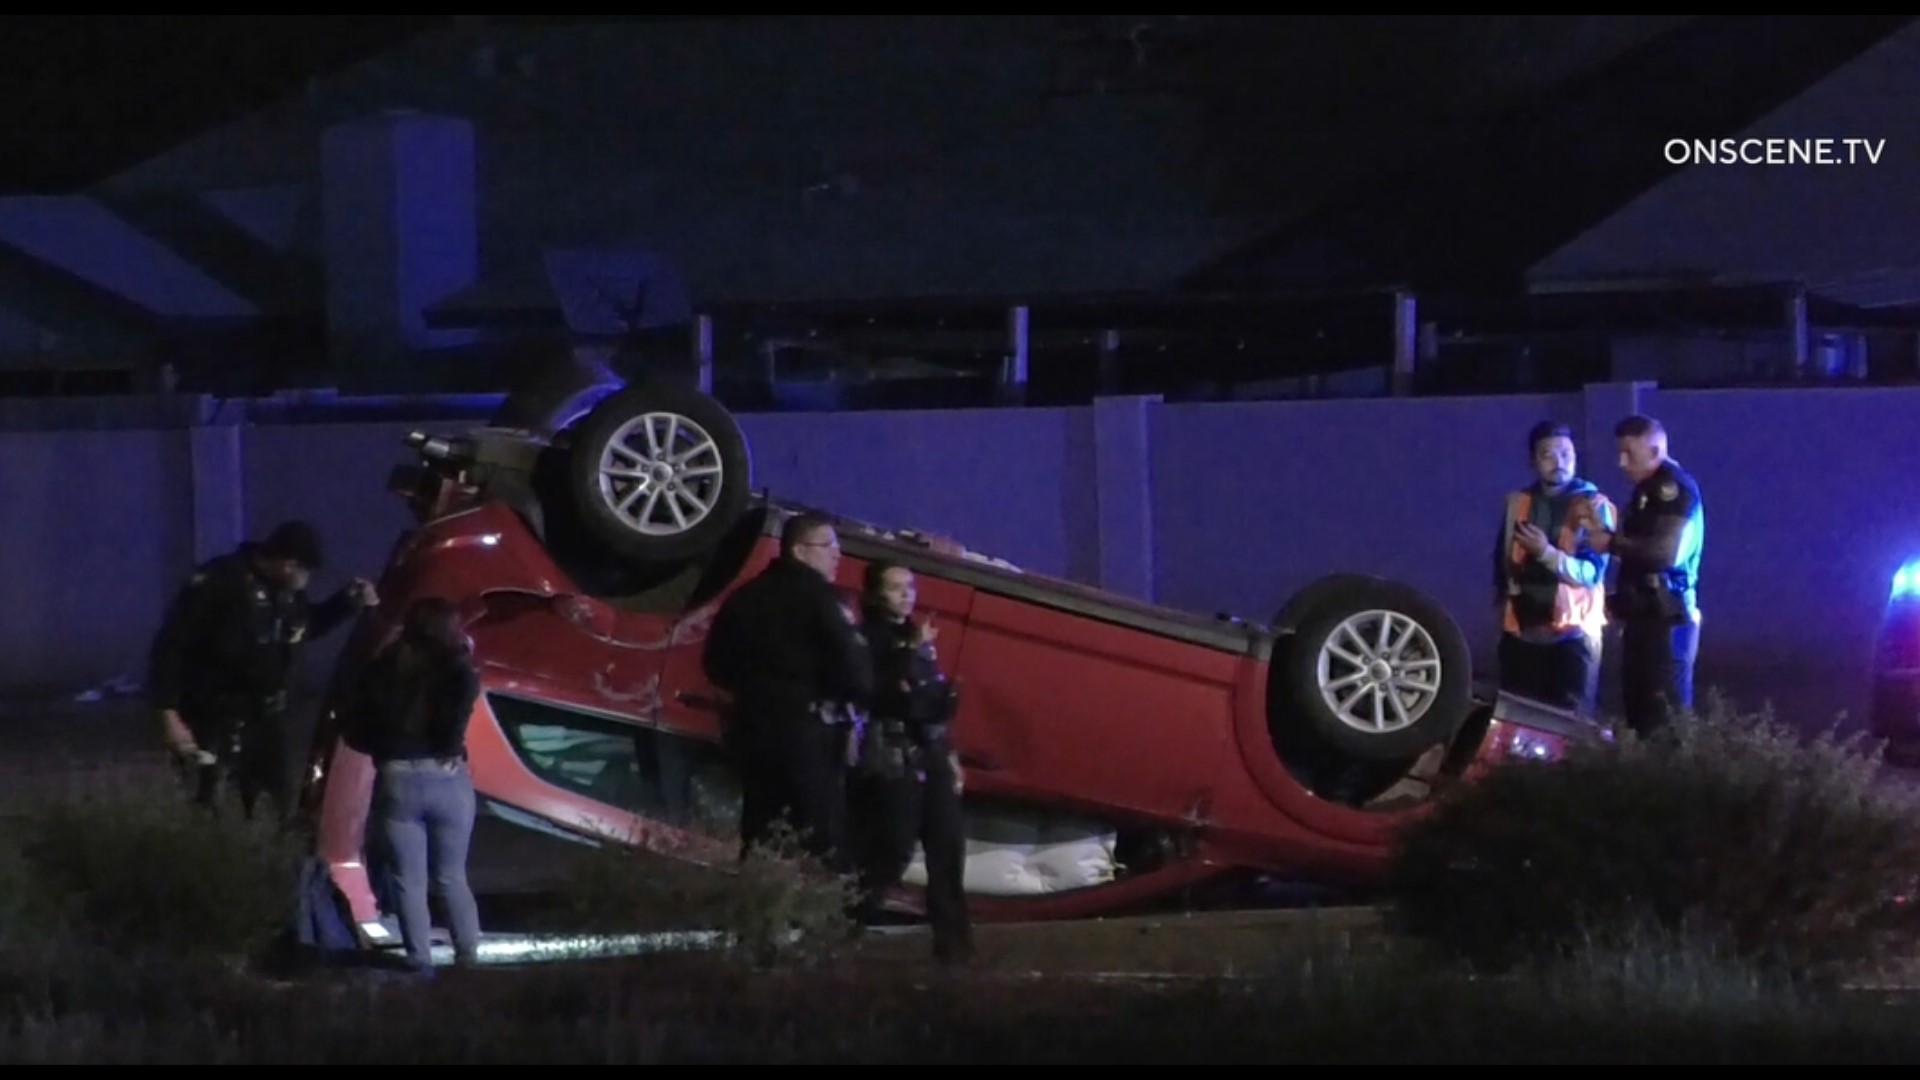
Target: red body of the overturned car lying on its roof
pixel 1153 725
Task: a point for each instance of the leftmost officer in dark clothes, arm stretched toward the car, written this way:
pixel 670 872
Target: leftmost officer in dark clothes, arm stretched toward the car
pixel 224 658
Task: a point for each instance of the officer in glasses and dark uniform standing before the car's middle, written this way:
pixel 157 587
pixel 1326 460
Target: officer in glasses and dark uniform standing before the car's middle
pixel 792 660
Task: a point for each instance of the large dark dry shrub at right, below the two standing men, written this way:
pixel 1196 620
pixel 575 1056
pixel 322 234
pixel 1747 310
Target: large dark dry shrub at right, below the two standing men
pixel 1731 831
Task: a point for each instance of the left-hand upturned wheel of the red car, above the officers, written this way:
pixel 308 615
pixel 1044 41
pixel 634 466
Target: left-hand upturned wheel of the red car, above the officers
pixel 660 472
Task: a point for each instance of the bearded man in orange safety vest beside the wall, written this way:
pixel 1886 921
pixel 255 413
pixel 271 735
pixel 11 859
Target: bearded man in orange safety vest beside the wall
pixel 1552 587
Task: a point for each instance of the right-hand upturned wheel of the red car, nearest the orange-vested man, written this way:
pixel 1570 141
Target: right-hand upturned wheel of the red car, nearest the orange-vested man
pixel 1320 685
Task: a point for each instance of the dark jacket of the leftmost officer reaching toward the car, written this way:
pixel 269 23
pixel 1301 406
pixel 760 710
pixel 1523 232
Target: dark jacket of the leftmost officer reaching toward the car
pixel 229 637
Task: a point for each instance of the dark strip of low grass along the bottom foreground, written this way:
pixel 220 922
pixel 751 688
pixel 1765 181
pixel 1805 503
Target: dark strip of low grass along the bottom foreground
pixel 1349 1006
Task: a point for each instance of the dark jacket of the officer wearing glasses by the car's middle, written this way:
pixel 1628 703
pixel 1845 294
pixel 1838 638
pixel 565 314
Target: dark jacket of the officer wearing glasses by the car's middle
pixel 782 643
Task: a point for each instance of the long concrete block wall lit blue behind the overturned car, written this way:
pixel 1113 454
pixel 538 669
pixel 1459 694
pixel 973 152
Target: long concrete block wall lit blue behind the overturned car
pixel 1212 506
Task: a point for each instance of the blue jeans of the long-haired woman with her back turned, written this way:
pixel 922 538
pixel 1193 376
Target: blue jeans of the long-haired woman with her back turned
pixel 425 812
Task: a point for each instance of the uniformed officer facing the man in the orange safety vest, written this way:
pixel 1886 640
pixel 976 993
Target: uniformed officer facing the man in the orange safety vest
pixel 1658 591
